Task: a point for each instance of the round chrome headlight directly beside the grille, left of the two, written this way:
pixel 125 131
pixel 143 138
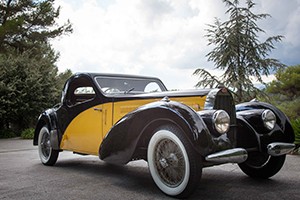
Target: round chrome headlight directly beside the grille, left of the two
pixel 221 121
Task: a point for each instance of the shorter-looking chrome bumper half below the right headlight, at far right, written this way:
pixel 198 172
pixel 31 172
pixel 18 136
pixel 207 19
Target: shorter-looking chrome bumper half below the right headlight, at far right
pixel 280 148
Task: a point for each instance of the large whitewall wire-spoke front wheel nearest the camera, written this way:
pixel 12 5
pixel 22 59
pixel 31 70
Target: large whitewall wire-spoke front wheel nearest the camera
pixel 174 165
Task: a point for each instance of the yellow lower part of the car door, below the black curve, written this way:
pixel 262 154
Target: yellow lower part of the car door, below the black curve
pixel 84 133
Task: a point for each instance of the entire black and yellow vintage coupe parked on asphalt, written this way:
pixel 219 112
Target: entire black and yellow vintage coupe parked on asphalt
pixel 122 118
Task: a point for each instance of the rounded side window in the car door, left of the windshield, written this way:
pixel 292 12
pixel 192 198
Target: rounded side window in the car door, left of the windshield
pixel 80 90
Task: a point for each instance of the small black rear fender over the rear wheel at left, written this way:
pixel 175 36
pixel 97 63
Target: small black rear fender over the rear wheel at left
pixel 48 118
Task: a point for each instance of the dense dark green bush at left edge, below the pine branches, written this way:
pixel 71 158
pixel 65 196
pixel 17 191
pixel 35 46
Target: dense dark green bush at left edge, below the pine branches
pixel 26 86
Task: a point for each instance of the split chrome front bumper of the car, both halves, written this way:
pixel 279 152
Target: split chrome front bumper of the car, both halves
pixel 239 155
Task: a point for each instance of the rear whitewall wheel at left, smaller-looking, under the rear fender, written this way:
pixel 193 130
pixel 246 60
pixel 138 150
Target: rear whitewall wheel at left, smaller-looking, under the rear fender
pixel 48 155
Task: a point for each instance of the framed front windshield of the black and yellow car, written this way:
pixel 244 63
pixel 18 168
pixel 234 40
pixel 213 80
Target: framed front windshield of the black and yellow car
pixel 128 85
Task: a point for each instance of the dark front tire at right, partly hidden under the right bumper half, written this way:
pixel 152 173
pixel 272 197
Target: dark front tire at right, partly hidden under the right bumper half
pixel 262 165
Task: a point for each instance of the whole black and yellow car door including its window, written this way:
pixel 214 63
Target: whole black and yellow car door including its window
pixel 83 115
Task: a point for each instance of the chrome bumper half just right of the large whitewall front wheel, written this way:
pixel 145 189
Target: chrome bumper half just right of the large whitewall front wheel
pixel 236 155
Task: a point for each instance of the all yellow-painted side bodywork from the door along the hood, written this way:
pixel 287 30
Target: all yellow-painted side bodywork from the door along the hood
pixel 86 132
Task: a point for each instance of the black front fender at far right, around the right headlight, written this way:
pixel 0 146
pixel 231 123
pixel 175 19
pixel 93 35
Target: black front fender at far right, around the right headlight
pixel 252 134
